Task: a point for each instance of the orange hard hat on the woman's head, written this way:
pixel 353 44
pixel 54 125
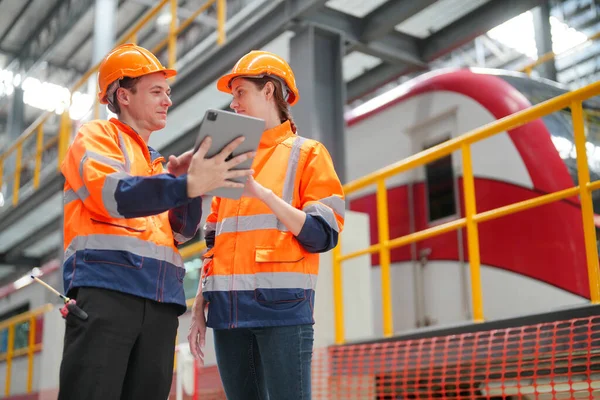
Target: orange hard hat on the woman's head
pixel 261 64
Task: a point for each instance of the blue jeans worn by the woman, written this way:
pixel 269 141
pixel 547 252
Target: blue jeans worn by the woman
pixel 271 363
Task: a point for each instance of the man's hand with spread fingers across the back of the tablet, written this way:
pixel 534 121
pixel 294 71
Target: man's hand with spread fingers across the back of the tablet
pixel 206 174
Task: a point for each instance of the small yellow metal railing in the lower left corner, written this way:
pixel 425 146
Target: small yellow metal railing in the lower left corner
pixel 29 350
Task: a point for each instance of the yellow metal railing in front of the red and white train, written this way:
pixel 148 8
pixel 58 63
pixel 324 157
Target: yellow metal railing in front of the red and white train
pixel 472 219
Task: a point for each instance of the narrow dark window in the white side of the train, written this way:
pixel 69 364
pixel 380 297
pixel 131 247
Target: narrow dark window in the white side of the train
pixel 439 188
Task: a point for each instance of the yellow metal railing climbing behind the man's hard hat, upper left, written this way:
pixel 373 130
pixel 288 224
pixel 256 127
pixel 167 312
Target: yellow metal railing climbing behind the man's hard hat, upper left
pixel 30 158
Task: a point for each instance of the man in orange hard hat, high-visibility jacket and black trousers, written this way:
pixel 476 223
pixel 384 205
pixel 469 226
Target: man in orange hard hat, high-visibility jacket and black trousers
pixel 123 218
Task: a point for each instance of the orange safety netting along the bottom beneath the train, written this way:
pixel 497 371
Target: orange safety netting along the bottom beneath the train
pixel 555 360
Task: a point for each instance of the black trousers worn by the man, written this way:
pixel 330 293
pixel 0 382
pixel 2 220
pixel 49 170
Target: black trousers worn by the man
pixel 123 351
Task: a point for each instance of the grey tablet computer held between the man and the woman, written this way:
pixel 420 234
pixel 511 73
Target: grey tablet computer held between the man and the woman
pixel 223 127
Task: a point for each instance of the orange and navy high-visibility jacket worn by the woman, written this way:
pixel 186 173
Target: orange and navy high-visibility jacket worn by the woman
pixel 257 272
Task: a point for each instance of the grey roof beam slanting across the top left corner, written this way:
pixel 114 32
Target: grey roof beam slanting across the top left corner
pixel 55 26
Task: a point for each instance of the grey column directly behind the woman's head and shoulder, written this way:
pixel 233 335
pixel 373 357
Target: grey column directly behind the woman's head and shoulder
pixel 316 58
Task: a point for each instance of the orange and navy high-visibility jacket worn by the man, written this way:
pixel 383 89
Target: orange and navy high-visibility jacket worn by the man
pixel 124 216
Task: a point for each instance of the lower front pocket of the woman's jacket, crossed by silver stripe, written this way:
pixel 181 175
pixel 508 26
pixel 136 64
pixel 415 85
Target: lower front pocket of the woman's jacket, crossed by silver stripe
pixel 272 276
